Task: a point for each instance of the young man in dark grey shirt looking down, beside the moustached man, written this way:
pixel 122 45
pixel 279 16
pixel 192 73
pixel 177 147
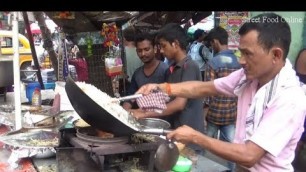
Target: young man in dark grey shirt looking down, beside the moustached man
pixel 180 111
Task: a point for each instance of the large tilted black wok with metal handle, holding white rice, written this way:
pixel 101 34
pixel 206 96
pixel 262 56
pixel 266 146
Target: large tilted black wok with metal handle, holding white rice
pixel 98 117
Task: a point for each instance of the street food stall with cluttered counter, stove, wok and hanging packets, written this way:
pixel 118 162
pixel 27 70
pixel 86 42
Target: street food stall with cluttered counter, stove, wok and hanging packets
pixel 97 134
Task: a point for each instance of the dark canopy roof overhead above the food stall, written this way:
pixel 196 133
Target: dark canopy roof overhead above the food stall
pixel 88 21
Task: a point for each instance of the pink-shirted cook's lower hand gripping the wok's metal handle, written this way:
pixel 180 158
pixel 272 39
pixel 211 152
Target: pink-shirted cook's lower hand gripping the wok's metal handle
pixel 183 134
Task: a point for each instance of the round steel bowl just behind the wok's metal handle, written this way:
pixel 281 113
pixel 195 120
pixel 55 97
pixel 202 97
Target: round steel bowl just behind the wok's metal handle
pixel 154 123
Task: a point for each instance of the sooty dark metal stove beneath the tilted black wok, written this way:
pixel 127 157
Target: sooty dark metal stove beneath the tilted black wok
pixel 92 154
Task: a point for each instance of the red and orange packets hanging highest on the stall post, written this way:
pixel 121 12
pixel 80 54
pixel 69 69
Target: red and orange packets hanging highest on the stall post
pixel 110 33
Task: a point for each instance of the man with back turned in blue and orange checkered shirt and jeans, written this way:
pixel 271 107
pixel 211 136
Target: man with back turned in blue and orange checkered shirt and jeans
pixel 222 111
